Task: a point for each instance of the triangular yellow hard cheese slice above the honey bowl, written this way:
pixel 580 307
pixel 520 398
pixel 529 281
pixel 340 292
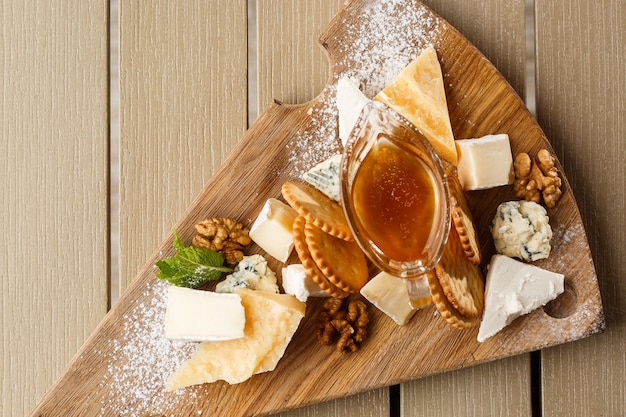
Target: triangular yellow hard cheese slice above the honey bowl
pixel 418 94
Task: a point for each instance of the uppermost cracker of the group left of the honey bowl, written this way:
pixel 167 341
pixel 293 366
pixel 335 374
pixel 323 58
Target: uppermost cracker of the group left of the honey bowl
pixel 317 208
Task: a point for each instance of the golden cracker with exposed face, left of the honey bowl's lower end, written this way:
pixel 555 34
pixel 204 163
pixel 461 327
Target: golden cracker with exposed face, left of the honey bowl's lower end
pixel 341 261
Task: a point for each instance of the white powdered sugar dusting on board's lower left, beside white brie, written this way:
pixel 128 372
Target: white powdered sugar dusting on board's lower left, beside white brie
pixel 142 360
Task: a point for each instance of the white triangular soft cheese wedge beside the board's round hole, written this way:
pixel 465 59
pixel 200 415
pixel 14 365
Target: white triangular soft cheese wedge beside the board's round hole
pixel 514 288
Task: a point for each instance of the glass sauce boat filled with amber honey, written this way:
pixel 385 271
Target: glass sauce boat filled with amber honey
pixel 394 193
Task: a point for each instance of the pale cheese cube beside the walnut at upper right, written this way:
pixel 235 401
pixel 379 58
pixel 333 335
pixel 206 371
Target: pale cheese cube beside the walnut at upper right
pixel 485 162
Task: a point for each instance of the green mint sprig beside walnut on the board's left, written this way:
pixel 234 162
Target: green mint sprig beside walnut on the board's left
pixel 191 267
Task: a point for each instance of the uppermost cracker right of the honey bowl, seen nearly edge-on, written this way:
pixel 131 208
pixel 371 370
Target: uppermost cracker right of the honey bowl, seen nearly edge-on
pixel 463 221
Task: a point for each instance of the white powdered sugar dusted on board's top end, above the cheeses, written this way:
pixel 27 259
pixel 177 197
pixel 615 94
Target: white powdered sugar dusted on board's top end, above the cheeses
pixel 376 47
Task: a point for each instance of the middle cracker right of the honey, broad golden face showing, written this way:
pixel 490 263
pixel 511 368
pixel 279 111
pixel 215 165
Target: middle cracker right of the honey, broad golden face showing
pixel 462 281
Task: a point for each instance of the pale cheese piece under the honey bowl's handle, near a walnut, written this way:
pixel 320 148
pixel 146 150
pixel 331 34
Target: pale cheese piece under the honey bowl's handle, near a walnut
pixel 389 294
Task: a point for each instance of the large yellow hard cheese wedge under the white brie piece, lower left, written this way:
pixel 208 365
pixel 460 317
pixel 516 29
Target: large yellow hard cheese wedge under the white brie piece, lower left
pixel 271 321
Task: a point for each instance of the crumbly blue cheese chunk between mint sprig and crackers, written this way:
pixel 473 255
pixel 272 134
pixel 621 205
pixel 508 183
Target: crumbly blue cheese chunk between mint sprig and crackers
pixel 251 272
